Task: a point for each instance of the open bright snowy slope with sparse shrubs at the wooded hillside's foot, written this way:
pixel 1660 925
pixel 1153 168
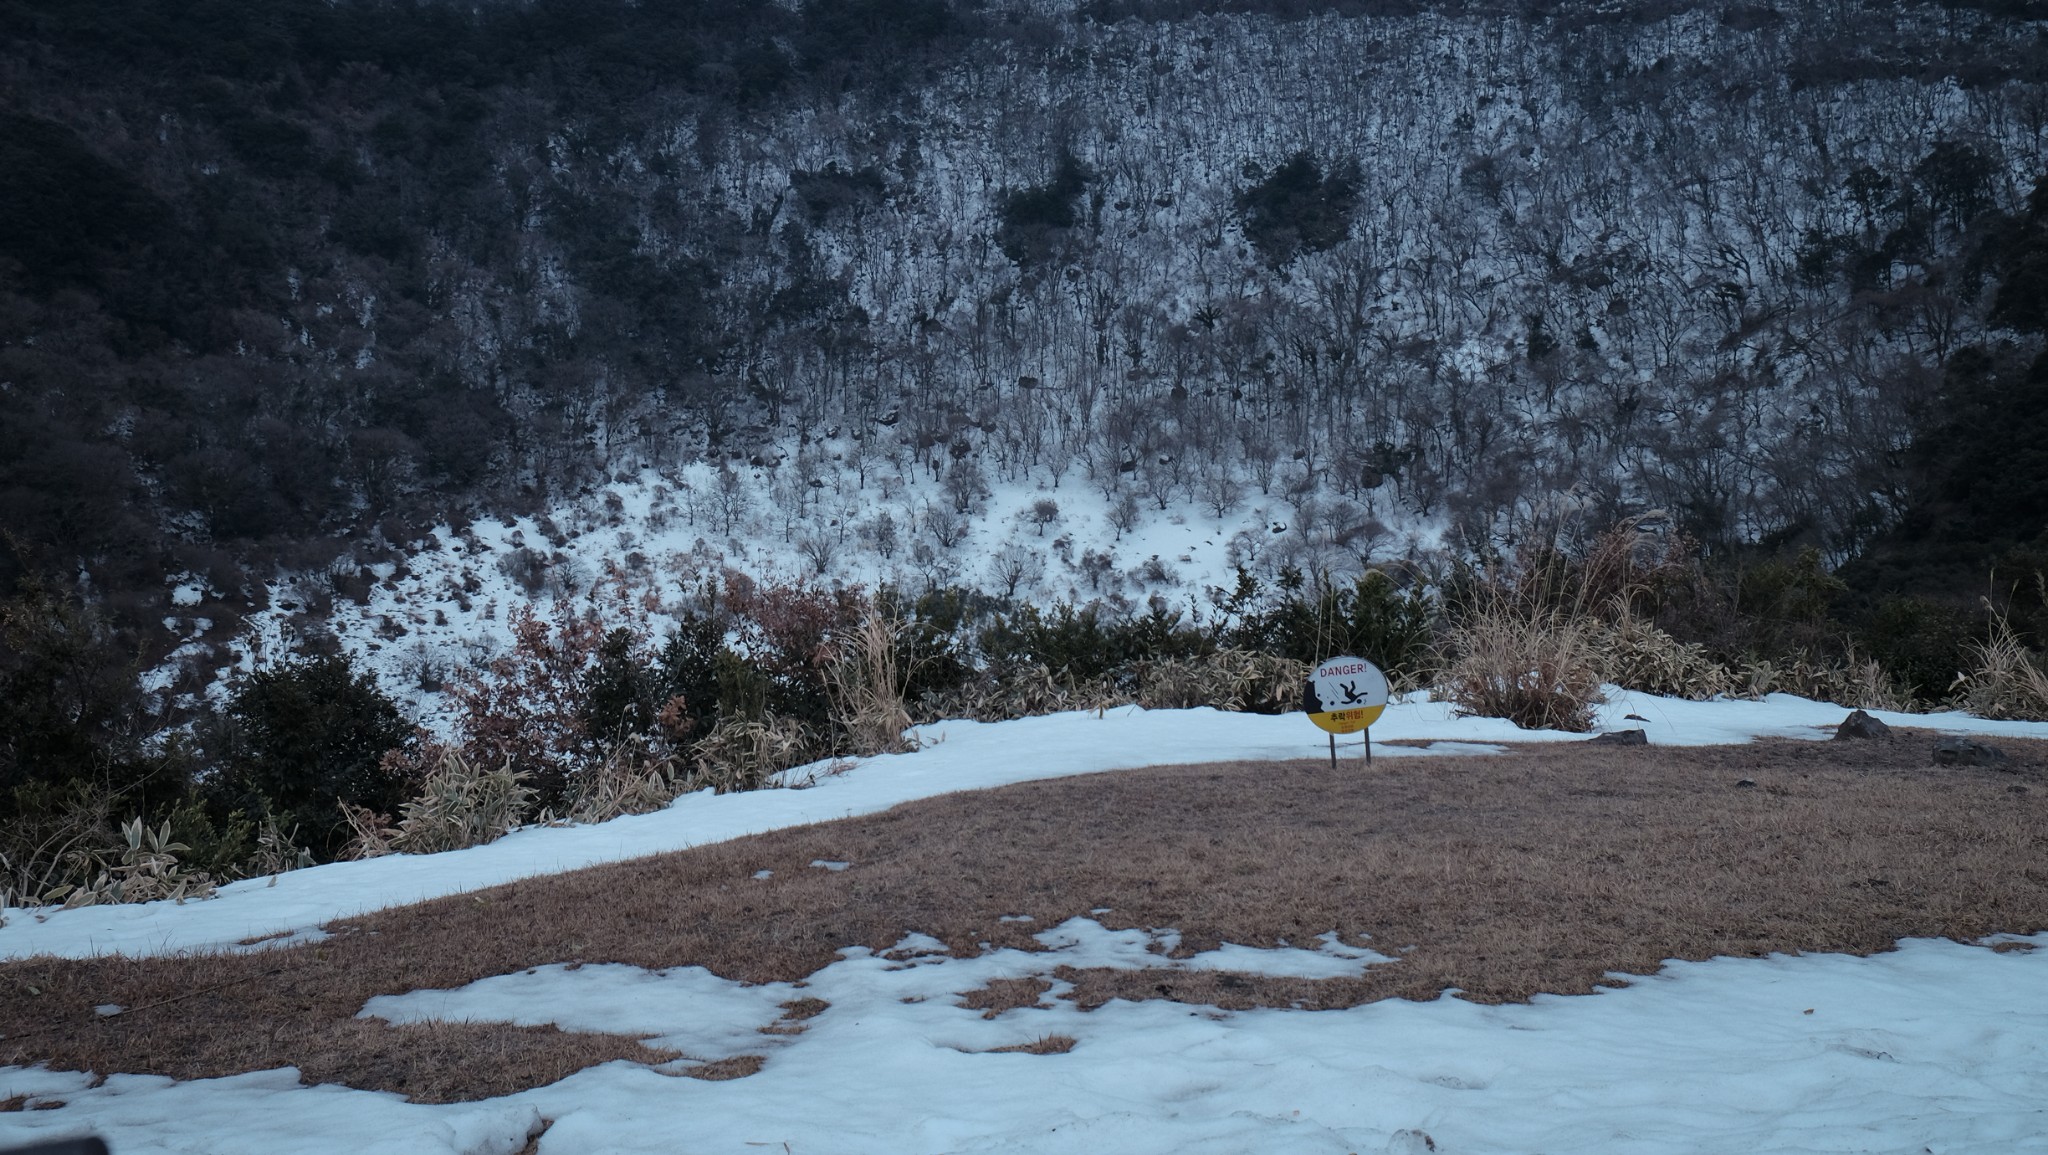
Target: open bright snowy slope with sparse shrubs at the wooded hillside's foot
pixel 642 546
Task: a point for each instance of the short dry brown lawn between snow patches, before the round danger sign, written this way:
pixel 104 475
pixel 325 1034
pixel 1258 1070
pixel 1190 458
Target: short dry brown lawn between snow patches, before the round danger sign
pixel 1504 878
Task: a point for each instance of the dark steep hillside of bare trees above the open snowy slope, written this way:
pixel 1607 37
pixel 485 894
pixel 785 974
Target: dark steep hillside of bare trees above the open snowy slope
pixel 294 284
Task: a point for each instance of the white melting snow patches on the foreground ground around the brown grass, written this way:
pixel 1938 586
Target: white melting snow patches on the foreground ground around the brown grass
pixel 1932 1047
